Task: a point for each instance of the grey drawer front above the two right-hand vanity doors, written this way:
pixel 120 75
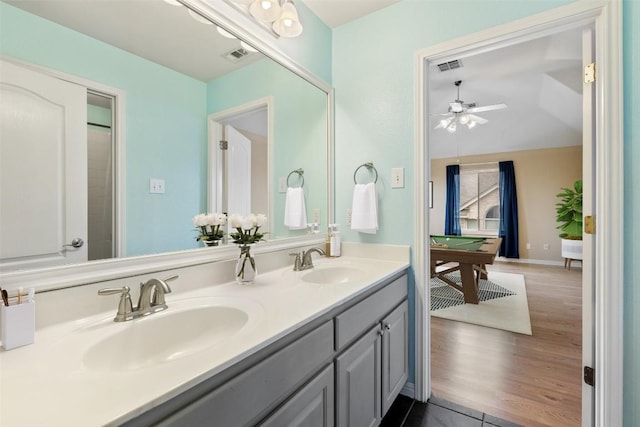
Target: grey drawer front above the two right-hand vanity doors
pixel 355 321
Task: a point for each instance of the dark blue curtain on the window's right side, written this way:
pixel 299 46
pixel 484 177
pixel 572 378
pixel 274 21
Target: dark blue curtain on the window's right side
pixel 508 211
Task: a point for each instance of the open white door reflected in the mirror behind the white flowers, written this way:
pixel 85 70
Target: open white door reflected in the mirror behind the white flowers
pixel 238 167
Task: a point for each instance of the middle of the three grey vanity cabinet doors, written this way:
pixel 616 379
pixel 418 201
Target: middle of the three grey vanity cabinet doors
pixel 358 386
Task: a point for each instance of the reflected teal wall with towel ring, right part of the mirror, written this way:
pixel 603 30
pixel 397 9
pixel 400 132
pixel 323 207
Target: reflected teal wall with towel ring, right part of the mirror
pixel 300 130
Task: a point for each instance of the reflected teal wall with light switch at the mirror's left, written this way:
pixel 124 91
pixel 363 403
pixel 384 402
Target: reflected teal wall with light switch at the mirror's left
pixel 165 125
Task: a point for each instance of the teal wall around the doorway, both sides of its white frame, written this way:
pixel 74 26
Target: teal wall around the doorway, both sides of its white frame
pixel 373 77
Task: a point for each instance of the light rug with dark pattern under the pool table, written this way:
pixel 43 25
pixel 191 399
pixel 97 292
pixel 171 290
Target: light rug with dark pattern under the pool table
pixel 503 303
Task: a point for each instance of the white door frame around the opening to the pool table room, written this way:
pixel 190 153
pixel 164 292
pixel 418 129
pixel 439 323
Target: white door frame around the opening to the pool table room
pixel 606 16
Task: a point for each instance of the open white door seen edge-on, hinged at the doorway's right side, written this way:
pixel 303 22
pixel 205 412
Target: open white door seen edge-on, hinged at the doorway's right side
pixel 588 240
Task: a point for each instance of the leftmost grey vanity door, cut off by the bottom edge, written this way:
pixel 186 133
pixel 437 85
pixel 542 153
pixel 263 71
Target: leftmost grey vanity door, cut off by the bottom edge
pixel 311 406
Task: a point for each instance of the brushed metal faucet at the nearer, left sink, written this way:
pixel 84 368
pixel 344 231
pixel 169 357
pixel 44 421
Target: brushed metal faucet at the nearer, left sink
pixel 151 299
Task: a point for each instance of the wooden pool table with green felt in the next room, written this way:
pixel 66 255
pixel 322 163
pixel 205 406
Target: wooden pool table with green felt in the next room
pixel 471 254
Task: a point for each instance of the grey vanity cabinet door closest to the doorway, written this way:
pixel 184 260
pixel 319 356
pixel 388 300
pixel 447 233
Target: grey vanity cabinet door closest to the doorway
pixel 395 354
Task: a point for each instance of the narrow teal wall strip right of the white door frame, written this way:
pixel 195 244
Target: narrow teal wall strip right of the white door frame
pixel 631 49
